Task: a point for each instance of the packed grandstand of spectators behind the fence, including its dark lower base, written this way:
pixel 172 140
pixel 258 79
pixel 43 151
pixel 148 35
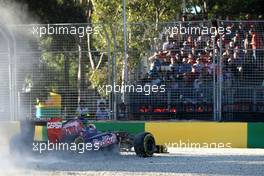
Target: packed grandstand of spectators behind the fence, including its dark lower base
pixel 203 70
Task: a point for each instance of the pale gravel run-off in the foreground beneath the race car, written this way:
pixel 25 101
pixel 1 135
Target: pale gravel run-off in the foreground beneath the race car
pixel 177 162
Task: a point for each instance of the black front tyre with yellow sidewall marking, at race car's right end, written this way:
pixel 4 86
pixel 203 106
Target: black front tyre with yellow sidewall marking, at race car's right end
pixel 144 144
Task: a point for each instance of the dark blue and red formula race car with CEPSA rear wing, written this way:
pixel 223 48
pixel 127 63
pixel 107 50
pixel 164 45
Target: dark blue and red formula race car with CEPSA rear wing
pixel 75 132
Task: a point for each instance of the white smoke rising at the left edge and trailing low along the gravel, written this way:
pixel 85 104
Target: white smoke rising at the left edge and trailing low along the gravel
pixel 12 20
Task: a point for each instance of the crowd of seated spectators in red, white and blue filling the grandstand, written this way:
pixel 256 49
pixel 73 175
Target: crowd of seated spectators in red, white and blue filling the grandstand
pixel 191 60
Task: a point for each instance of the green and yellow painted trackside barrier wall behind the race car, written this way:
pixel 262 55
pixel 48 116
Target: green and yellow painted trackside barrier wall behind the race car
pixel 184 134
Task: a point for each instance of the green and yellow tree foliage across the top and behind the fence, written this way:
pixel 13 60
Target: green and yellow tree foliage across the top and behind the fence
pixel 84 61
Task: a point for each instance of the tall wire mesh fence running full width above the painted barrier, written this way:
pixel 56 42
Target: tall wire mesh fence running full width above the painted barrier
pixel 204 70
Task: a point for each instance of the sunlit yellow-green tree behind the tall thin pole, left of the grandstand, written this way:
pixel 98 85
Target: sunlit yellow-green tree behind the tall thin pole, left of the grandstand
pixel 138 12
